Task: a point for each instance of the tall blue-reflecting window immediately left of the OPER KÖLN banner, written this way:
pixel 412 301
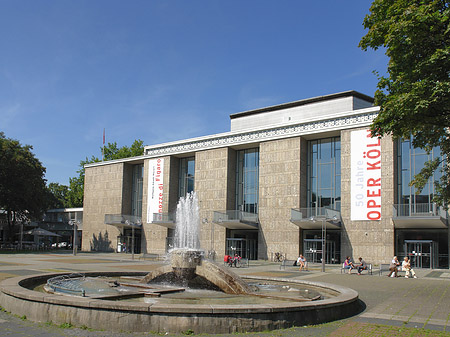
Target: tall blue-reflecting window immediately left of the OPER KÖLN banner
pixel 324 173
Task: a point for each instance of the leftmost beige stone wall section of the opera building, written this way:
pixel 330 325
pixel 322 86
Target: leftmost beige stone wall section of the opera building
pixel 103 190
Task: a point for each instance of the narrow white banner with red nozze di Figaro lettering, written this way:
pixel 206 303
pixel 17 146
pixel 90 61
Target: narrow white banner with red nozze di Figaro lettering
pixel 155 188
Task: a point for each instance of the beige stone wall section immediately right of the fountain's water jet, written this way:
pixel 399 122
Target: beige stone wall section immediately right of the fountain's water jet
pixel 213 190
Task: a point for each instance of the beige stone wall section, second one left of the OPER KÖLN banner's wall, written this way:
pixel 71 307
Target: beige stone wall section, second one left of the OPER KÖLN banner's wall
pixel 279 192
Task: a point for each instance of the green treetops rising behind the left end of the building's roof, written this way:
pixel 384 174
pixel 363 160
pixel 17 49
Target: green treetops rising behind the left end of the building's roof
pixel 110 152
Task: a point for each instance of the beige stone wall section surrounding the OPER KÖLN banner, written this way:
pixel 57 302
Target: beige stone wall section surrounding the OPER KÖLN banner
pixel 373 240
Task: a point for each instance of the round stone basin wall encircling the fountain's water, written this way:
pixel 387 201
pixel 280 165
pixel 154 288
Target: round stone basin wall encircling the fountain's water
pixel 17 297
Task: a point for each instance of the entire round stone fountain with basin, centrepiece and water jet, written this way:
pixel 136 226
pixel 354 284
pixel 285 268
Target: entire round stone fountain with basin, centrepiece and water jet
pixel 232 306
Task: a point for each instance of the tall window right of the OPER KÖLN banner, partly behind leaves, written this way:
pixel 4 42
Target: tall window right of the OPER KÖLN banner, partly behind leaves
pixel 410 161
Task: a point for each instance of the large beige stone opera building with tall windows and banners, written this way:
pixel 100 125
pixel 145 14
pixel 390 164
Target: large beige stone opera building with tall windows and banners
pixel 292 178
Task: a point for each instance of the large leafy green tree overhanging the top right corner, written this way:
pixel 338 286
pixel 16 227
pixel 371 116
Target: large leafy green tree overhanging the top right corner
pixel 414 96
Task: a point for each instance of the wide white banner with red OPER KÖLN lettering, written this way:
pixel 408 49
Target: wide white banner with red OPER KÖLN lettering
pixel 365 176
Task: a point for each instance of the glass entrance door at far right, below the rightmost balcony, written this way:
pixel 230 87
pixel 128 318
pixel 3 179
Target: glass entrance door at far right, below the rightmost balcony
pixel 422 253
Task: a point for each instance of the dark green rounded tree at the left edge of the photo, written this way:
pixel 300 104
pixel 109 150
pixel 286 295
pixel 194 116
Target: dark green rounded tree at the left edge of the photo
pixel 23 193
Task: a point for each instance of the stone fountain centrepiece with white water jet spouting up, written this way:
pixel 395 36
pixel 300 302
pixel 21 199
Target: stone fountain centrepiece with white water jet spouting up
pixel 188 267
